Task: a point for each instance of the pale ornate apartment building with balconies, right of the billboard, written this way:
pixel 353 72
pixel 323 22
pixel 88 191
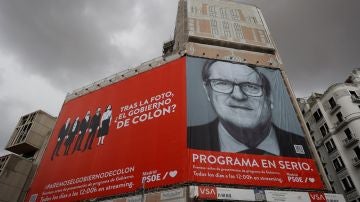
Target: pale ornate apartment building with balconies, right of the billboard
pixel 333 119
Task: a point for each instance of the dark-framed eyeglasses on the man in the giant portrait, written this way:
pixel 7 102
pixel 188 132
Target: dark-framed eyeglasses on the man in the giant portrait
pixel 227 87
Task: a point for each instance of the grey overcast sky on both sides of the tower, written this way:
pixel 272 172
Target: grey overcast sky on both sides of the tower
pixel 51 47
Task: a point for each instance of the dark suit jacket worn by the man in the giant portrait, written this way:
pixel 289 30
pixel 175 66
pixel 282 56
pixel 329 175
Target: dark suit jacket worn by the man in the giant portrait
pixel 206 137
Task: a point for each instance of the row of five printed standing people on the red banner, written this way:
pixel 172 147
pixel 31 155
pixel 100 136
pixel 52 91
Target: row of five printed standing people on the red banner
pixel 98 123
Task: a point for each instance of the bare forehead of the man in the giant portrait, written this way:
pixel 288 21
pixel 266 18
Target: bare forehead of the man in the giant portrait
pixel 225 70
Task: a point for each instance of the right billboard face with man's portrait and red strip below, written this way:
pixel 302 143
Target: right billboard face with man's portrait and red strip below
pixel 233 110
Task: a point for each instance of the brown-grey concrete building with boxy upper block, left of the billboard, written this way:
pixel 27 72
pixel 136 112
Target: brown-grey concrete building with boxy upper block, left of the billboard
pixel 27 144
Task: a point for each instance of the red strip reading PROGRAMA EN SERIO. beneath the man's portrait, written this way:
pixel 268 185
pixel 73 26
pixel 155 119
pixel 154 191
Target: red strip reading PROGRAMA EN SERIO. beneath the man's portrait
pixel 253 170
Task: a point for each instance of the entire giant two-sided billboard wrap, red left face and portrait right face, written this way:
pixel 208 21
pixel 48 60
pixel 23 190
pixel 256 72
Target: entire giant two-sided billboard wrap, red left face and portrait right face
pixel 172 125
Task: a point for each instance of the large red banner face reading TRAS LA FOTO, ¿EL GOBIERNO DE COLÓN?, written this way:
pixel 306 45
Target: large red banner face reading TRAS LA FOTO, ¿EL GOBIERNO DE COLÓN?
pixel 124 137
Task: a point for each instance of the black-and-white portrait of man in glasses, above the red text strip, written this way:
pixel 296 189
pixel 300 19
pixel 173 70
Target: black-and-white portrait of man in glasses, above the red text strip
pixel 242 101
